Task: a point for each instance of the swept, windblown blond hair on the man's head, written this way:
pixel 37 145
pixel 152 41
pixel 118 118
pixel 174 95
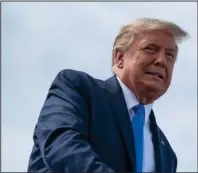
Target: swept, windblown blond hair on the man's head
pixel 127 33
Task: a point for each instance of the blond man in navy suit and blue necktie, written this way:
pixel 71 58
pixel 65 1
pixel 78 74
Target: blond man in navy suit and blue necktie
pixel 89 125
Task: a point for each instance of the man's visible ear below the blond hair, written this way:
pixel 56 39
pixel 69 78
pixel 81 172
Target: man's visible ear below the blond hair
pixel 118 58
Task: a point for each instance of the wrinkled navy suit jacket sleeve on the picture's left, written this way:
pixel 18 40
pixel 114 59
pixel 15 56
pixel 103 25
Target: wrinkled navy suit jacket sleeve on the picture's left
pixel 62 129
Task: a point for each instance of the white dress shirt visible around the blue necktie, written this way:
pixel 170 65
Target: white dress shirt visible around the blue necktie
pixel 131 101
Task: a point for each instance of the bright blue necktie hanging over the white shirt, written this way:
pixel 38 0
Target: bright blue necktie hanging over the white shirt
pixel 138 131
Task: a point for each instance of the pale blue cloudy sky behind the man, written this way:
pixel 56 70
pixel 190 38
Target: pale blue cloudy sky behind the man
pixel 40 39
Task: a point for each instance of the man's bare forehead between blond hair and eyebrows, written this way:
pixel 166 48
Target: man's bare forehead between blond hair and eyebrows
pixel 157 37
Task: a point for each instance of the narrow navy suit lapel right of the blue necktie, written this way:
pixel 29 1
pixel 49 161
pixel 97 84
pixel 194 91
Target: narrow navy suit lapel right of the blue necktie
pixel 158 144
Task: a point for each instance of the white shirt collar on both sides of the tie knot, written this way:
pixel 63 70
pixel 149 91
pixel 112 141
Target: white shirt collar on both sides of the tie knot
pixel 132 101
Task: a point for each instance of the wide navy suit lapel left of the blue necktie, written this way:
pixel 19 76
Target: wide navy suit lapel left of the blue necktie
pixel 118 105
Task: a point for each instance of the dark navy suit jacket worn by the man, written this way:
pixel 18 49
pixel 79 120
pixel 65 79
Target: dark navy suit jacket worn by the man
pixel 84 126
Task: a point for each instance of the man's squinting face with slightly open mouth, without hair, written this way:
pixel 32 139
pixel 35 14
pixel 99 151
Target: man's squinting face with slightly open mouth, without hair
pixel 148 64
